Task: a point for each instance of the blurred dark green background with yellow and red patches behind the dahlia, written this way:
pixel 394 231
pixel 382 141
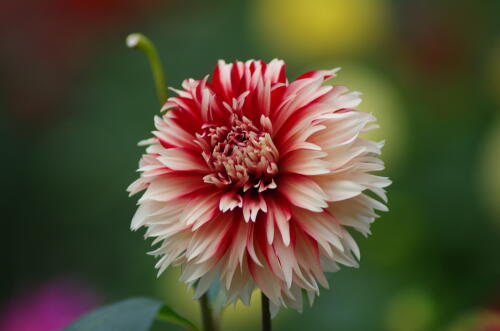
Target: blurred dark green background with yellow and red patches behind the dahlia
pixel 75 101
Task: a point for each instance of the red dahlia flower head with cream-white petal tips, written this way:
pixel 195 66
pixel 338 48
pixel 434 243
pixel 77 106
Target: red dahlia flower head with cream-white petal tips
pixel 254 181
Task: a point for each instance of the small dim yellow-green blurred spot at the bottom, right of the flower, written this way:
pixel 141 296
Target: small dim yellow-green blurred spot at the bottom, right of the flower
pixel 410 310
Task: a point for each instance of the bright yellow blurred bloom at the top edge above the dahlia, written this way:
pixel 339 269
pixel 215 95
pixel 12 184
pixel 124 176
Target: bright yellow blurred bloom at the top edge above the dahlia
pixel 305 28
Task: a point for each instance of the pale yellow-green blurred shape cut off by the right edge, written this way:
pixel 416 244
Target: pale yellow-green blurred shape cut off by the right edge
pixel 489 171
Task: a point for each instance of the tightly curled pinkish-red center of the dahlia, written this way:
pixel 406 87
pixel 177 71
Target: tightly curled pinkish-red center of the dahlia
pixel 241 155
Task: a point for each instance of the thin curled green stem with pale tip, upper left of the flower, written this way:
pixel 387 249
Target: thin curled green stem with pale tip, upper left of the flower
pixel 140 41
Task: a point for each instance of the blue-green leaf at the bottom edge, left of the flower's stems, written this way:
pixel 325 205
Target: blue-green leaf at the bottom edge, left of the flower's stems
pixel 137 314
